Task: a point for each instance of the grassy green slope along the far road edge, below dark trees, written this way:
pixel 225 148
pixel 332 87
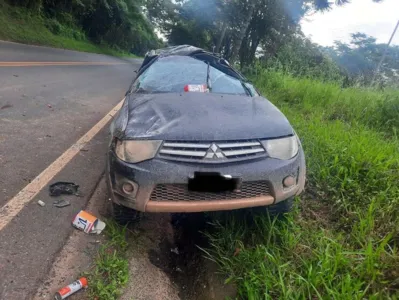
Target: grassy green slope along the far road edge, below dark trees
pixel 20 25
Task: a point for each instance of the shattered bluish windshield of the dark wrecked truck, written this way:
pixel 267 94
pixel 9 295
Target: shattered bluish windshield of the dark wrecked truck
pixel 172 74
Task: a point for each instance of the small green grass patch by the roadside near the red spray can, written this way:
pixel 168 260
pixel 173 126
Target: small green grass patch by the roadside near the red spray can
pixel 111 269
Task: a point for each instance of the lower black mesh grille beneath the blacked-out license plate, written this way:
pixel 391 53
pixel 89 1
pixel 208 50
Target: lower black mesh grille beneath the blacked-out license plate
pixel 180 192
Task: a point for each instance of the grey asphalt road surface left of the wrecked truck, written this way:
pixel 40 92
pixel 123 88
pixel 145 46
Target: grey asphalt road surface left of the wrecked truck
pixel 49 98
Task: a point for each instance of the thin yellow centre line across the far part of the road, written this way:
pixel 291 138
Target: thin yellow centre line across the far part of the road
pixel 55 63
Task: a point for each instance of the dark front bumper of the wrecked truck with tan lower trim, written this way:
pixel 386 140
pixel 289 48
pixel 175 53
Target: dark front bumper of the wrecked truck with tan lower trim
pixel 145 176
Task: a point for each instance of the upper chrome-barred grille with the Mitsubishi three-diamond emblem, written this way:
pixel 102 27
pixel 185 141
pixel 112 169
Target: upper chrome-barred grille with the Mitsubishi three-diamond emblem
pixel 211 151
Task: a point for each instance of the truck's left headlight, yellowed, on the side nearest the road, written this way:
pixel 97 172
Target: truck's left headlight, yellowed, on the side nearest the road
pixel 136 151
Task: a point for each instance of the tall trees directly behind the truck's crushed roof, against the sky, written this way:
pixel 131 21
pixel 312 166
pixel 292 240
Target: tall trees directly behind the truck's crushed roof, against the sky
pixel 236 27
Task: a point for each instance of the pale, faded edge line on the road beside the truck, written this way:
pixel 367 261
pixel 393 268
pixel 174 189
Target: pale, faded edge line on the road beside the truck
pixel 16 204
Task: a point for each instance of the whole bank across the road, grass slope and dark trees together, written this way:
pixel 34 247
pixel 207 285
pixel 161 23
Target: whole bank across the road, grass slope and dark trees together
pixel 109 27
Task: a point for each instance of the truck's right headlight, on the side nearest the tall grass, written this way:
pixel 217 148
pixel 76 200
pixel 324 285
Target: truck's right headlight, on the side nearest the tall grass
pixel 284 148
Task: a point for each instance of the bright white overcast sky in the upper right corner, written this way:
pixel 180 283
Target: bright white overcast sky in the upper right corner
pixel 375 19
